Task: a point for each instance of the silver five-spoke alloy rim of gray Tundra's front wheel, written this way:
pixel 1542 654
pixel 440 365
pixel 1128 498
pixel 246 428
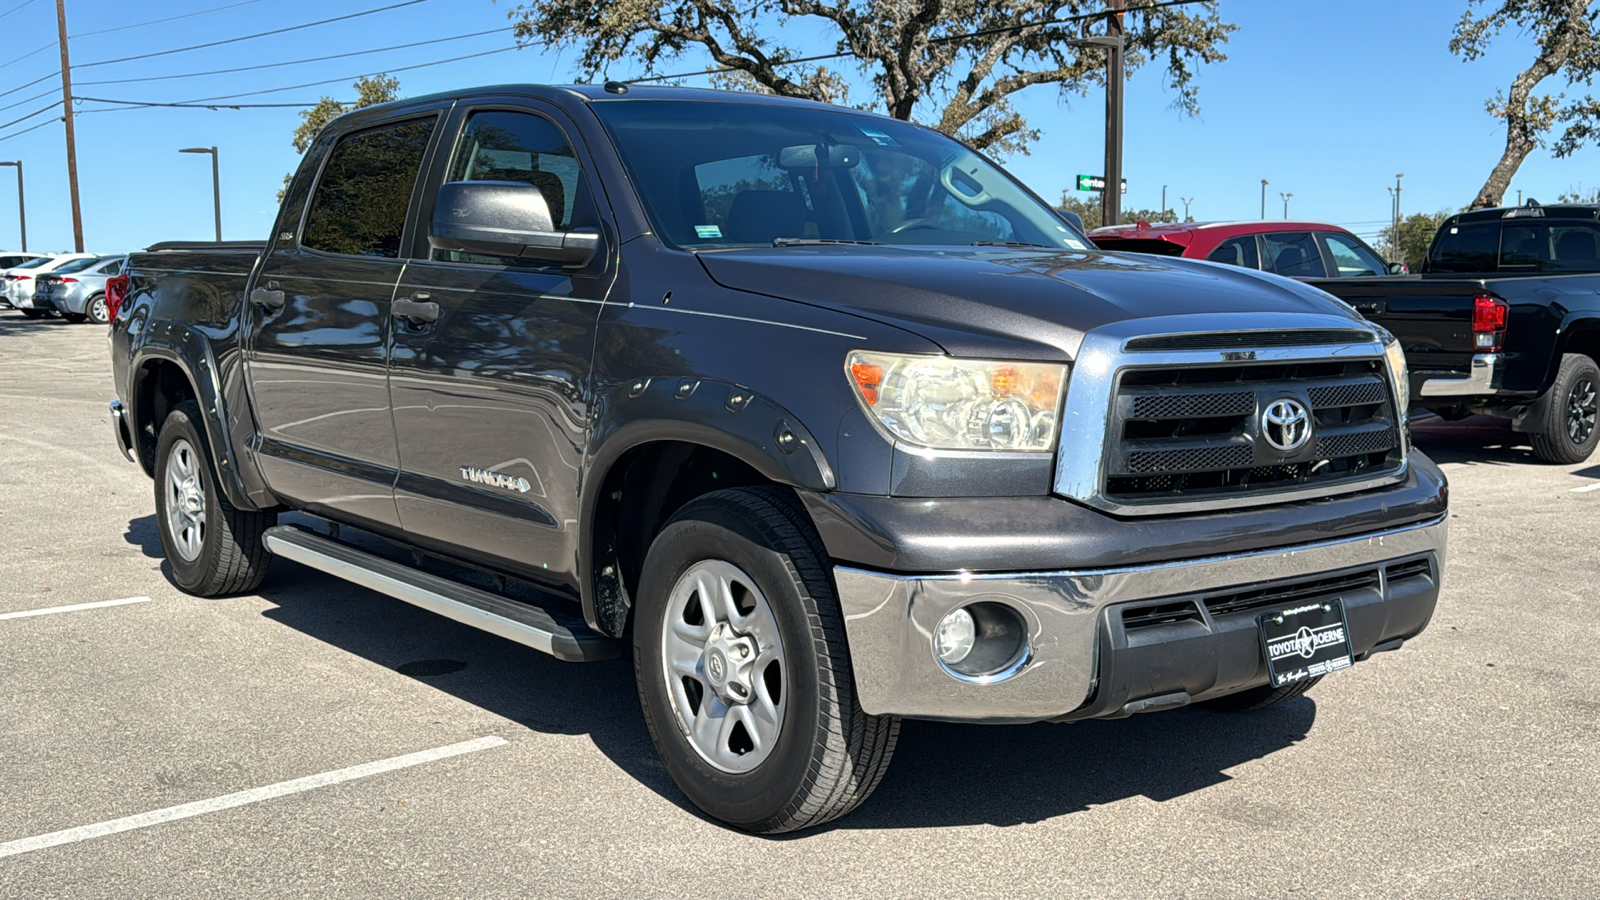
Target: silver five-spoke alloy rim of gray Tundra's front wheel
pixel 726 669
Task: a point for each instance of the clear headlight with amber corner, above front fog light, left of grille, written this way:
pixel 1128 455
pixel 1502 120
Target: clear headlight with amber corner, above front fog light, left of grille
pixel 961 404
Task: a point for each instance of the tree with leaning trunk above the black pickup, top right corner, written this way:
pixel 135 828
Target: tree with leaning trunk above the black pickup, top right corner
pixel 1569 49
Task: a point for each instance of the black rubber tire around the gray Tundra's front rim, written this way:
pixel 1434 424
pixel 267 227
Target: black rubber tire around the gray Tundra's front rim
pixel 830 755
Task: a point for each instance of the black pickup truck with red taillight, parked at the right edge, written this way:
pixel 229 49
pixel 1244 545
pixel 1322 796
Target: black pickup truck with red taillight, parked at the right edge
pixel 1503 321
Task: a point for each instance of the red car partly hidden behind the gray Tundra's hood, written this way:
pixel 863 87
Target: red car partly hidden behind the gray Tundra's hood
pixel 1298 251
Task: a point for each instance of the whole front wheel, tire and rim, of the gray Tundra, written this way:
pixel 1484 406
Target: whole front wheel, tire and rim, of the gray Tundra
pixel 743 669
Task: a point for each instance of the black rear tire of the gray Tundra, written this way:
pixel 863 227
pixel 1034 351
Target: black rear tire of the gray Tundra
pixel 226 555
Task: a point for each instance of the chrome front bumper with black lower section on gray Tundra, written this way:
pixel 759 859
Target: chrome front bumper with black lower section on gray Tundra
pixel 1113 641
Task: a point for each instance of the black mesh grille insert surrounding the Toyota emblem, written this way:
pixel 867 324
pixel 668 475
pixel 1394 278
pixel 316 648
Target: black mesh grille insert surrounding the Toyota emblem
pixel 1182 433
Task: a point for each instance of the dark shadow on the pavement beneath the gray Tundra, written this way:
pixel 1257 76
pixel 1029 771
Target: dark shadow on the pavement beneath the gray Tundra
pixel 943 774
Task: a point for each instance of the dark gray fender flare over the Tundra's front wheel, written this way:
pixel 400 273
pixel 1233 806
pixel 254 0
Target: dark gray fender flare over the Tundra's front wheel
pixel 703 412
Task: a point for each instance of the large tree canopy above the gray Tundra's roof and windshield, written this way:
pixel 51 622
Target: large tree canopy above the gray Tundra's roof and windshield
pixel 954 65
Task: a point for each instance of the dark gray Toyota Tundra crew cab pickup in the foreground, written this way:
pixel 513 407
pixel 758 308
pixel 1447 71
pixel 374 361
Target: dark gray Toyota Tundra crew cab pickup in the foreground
pixel 817 416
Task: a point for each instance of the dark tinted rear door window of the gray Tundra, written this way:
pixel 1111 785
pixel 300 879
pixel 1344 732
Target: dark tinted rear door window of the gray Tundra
pixel 366 191
